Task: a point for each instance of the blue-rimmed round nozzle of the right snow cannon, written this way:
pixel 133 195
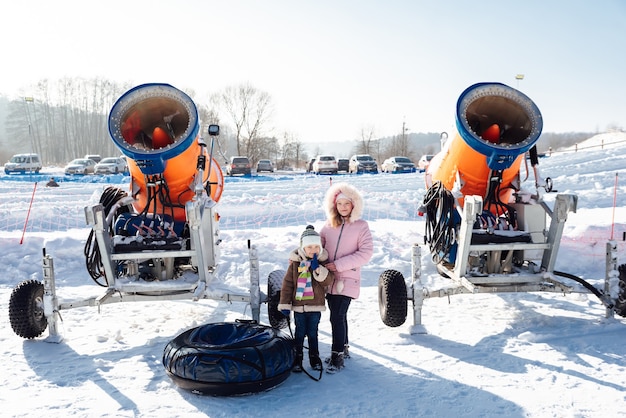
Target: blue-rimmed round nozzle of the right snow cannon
pixel 498 121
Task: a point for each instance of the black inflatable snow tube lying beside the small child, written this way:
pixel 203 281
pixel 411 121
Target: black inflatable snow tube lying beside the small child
pixel 227 358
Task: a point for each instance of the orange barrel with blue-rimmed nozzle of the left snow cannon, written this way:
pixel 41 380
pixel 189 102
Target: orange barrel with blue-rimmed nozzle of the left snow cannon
pixel 156 126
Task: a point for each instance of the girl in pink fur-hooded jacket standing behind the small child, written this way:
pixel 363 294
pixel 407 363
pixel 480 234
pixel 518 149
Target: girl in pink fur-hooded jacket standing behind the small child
pixel 348 240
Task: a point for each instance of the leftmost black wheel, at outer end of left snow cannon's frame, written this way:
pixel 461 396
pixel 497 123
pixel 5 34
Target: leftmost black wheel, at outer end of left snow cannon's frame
pixel 26 312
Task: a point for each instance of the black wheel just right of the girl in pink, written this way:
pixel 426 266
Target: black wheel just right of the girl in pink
pixel 392 298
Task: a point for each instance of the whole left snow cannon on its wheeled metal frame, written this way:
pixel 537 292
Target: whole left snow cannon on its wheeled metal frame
pixel 160 240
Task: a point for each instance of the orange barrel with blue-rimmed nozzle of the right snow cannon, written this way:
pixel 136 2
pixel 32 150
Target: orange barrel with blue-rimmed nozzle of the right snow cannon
pixel 496 125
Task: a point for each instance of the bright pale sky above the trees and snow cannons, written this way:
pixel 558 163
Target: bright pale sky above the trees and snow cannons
pixel 334 68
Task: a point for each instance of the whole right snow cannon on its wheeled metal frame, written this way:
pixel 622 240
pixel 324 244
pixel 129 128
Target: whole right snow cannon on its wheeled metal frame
pixel 484 232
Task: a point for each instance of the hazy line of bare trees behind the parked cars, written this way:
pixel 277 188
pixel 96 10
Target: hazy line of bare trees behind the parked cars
pixel 68 119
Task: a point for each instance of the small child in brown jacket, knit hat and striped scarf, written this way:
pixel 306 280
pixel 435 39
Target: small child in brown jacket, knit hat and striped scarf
pixel 303 292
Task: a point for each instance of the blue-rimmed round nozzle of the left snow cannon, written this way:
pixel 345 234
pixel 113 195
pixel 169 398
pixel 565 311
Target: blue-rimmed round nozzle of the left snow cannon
pixel 153 123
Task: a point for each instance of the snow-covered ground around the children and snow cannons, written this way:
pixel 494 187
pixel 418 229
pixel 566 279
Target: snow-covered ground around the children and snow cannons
pixel 513 355
